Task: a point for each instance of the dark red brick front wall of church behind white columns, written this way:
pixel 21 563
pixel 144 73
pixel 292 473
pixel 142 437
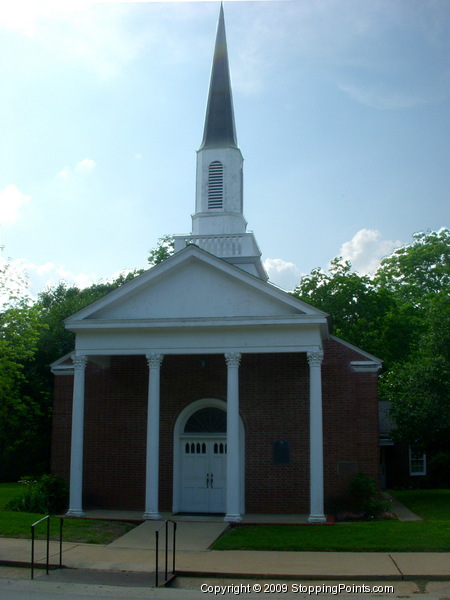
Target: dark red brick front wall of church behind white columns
pixel 274 404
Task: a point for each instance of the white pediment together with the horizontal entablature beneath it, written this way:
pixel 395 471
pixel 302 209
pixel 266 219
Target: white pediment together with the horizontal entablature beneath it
pixel 195 302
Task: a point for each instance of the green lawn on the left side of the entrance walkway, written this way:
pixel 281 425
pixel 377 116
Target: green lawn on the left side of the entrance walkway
pixel 18 525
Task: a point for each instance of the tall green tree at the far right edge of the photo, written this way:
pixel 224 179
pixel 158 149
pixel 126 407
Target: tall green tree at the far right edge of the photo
pixel 418 384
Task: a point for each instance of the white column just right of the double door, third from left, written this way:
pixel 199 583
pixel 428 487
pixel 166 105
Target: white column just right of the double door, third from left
pixel 233 453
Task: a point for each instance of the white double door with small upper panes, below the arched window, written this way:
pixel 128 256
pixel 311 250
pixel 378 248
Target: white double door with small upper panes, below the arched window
pixel 203 475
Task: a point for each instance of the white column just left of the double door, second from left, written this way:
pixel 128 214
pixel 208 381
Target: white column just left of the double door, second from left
pixel 152 464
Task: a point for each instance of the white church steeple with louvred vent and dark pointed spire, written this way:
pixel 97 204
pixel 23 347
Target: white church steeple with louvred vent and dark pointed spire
pixel 219 225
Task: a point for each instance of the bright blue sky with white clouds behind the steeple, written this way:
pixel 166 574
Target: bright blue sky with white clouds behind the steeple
pixel 342 115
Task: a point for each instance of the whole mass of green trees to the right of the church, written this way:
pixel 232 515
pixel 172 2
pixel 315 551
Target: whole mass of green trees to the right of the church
pixel 401 315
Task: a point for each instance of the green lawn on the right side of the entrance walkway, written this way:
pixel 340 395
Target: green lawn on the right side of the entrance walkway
pixel 430 535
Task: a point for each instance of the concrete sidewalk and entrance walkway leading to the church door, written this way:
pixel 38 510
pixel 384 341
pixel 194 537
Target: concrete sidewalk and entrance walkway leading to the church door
pixel 135 553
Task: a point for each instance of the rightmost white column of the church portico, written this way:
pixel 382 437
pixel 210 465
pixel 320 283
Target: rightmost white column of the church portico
pixel 315 438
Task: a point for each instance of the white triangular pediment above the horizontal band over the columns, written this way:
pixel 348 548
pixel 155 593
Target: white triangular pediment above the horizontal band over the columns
pixel 193 284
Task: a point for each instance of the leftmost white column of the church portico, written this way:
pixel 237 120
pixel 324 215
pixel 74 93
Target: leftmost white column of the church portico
pixel 76 450
